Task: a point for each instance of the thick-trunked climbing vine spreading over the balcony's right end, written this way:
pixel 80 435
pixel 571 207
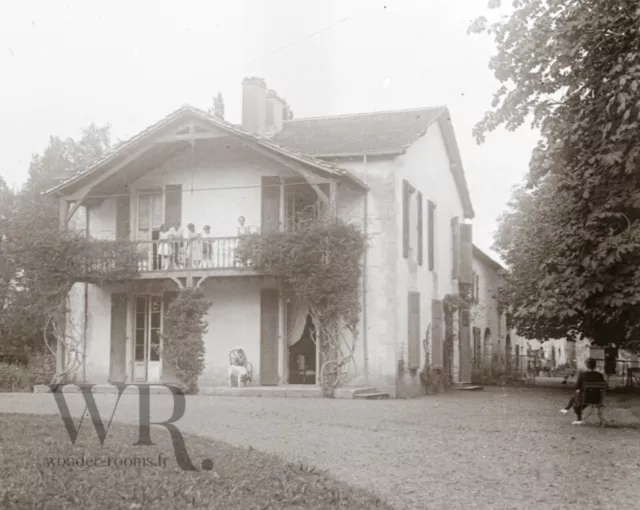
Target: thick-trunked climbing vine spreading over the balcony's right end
pixel 321 261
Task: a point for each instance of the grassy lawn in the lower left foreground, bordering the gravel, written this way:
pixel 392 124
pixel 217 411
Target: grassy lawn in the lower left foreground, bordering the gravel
pixel 34 450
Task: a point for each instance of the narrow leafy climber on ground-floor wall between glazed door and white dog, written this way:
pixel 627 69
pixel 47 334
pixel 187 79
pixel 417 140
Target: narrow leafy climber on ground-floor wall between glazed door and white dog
pixel 183 337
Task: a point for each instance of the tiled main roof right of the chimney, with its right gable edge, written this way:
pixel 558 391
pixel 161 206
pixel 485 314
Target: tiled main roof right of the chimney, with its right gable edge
pixel 388 133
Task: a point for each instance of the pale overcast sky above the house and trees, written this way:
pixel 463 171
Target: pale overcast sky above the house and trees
pixel 66 64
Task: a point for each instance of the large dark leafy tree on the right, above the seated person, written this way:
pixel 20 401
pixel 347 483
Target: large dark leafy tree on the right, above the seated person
pixel 571 236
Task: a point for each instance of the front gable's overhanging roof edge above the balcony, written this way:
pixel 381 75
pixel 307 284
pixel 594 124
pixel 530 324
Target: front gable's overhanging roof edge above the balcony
pixel 189 111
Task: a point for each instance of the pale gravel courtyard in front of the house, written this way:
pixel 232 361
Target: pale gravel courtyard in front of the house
pixel 499 448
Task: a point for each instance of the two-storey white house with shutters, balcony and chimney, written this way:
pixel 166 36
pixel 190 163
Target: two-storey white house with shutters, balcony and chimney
pixel 398 174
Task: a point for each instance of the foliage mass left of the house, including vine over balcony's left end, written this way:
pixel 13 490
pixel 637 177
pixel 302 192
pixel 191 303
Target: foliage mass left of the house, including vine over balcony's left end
pixel 40 263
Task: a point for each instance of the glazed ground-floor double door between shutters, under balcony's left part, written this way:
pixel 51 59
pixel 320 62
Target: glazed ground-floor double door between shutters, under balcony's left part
pixel 148 342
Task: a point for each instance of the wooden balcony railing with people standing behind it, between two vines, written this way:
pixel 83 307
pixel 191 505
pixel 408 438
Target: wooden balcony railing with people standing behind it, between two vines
pixel 189 254
